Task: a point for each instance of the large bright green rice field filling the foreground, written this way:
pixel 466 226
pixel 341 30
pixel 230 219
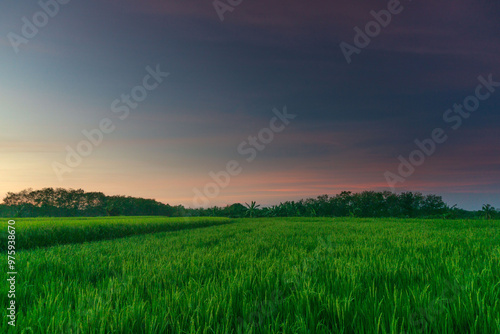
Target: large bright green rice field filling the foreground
pixel 269 276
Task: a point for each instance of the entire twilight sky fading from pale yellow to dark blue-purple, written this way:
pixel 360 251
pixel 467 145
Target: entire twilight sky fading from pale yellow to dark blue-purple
pixel 206 103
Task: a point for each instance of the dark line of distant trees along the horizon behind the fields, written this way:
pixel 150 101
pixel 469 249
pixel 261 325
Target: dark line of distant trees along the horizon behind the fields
pixel 49 202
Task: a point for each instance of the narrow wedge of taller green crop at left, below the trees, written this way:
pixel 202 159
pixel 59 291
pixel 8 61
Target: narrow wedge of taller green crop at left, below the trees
pixel 44 232
